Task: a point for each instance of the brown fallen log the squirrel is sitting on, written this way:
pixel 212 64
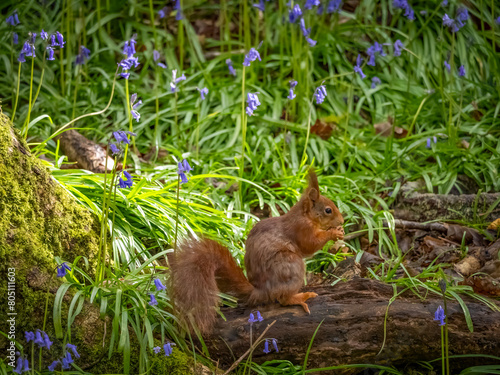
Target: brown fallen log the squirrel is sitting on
pixel 352 331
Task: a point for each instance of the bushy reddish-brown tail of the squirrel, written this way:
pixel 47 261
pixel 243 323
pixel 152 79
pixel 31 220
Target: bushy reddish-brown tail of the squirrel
pixel 200 269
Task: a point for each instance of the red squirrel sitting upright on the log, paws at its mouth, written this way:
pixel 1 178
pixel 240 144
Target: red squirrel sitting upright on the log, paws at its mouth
pixel 275 249
